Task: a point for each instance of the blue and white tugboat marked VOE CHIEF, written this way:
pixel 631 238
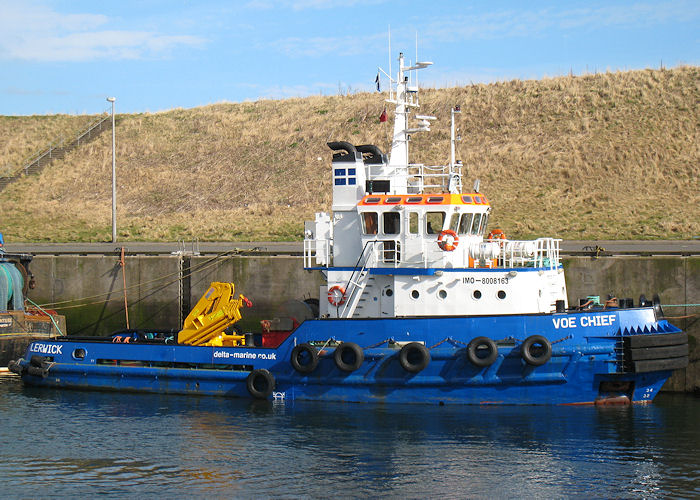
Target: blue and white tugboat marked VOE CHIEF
pixel 422 303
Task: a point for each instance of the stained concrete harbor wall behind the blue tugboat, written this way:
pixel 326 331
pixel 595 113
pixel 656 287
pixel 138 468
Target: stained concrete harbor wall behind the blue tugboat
pixel 89 289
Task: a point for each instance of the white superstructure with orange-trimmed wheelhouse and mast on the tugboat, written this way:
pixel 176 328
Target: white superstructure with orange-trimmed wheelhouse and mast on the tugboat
pixel 403 240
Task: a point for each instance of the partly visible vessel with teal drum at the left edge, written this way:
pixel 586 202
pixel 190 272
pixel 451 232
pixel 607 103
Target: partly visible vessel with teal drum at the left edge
pixel 20 324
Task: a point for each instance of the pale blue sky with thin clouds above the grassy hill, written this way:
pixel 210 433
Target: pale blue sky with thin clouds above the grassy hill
pixel 67 56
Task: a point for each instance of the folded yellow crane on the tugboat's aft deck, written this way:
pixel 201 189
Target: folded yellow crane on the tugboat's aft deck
pixel 216 310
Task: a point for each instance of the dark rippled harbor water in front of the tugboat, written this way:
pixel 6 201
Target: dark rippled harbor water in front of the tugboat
pixel 64 444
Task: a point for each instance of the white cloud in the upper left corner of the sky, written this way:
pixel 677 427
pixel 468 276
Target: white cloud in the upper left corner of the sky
pixel 34 32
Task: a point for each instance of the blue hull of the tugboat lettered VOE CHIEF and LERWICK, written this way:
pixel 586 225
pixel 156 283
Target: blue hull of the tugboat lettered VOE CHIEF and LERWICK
pixel 589 363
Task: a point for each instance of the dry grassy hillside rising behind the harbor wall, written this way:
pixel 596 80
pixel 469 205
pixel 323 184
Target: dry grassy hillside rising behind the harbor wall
pixel 606 156
